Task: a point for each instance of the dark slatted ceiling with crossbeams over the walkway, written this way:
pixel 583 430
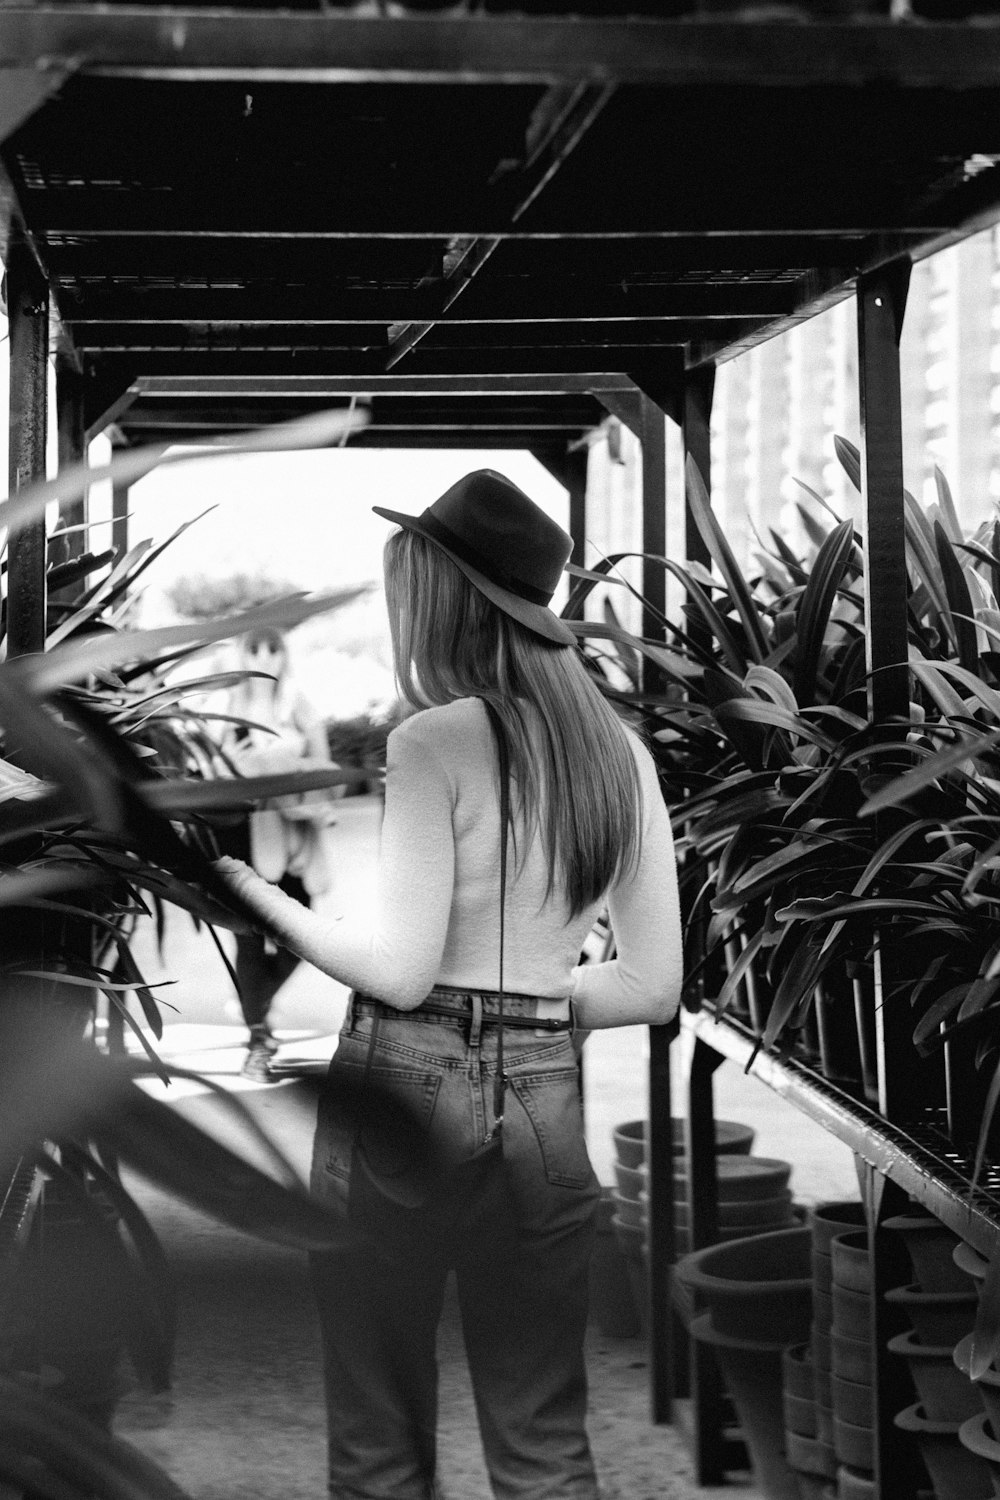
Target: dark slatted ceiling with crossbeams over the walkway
pixel 469 224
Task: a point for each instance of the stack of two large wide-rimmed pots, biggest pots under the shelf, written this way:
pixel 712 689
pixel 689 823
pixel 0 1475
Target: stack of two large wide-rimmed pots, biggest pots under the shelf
pixel 753 1298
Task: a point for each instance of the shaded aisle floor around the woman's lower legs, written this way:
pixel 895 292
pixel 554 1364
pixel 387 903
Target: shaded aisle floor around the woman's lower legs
pixel 245 1420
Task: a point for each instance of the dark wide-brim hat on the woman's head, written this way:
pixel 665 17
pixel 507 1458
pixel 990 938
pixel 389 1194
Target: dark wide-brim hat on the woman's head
pixel 504 544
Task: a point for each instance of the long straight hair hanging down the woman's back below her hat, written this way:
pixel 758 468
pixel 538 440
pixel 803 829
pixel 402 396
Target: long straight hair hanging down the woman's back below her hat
pixel 573 767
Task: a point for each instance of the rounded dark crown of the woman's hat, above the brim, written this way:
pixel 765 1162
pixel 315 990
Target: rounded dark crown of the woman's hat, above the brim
pixel 507 536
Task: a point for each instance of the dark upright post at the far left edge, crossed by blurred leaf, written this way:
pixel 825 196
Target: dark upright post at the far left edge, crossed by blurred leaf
pixel 28 311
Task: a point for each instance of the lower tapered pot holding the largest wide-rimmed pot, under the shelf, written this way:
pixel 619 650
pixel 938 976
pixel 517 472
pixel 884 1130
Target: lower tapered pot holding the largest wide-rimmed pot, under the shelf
pixel 752 1375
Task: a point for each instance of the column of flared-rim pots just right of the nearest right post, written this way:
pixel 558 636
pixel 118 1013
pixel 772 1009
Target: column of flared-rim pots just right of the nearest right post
pixel 941 1306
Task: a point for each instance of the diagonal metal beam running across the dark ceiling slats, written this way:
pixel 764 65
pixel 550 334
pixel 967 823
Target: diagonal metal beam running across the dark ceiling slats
pixel 558 125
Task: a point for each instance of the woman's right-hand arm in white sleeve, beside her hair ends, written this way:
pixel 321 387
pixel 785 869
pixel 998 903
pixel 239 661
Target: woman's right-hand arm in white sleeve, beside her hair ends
pixel 644 983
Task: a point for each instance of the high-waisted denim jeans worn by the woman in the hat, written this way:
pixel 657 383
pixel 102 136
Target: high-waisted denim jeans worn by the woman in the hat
pixel 522 1286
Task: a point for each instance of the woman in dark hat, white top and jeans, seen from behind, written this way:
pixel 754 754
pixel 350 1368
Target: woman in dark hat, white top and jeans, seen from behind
pixel 469 586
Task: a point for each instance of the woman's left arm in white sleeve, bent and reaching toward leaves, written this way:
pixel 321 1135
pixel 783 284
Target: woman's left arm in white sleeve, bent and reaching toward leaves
pixel 395 956
